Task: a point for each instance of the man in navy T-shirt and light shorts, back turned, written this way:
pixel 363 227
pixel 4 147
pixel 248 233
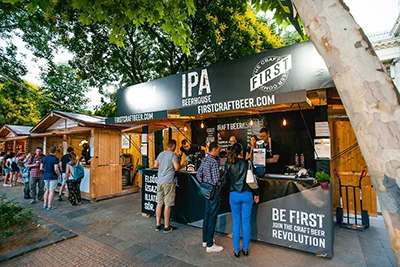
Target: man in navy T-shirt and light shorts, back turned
pixel 51 173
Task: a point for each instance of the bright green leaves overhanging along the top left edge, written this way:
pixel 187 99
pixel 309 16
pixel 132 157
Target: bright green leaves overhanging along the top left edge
pixel 117 15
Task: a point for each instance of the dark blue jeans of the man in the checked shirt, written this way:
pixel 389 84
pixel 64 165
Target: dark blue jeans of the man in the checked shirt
pixel 211 210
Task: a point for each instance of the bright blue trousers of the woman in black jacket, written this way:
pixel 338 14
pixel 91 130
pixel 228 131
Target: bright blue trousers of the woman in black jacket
pixel 241 205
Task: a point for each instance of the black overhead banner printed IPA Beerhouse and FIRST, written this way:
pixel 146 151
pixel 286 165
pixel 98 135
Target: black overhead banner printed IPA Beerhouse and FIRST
pixel 253 81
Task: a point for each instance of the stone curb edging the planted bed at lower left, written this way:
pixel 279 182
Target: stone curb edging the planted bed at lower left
pixel 60 232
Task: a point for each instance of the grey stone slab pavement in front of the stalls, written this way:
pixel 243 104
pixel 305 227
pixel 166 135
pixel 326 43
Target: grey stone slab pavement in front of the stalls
pixel 118 223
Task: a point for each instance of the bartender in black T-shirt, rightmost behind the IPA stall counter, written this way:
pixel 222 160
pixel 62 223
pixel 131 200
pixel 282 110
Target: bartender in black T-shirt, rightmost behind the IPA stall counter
pixel 273 152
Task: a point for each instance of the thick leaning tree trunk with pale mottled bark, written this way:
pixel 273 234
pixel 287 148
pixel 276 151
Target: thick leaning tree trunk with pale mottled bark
pixel 368 95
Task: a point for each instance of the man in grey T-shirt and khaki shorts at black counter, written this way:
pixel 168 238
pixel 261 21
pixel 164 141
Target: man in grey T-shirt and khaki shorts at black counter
pixel 167 163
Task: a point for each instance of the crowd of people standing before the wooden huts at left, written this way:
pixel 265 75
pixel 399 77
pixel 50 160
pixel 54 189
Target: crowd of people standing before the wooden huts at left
pixel 41 174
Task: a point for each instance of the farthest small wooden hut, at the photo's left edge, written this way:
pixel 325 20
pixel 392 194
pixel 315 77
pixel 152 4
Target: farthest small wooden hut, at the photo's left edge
pixel 16 138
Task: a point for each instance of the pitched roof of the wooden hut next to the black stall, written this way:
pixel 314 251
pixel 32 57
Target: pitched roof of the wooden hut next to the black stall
pixel 82 120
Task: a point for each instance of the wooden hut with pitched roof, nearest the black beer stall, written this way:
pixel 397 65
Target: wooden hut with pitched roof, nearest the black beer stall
pixel 103 177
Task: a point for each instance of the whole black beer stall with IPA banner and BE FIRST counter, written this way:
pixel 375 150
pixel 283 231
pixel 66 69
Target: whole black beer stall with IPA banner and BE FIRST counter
pixel 285 90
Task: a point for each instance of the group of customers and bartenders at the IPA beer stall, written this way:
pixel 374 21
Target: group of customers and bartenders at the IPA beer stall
pixel 233 178
